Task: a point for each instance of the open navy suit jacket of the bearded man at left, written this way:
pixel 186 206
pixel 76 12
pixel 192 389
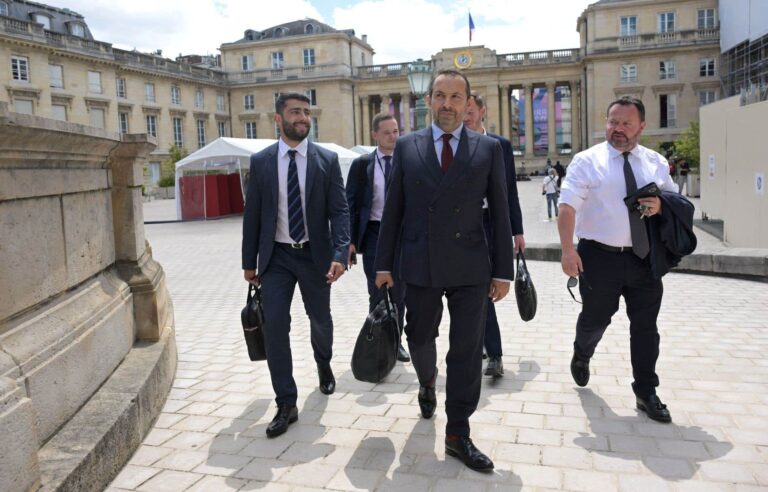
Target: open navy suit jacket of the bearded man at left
pixel 327 216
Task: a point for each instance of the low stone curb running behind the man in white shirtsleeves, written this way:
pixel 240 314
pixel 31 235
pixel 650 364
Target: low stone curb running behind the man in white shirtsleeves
pixel 744 263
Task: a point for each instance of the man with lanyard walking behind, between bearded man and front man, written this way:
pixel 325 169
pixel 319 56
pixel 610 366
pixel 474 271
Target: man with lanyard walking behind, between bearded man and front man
pixel 366 192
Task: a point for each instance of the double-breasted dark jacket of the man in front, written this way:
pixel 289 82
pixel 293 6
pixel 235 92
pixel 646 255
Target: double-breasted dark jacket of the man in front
pixel 441 216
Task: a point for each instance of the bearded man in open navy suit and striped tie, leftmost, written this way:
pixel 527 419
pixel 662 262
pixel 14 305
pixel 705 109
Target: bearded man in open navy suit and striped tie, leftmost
pixel 295 230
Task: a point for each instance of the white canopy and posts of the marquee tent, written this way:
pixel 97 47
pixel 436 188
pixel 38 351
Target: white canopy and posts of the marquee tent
pixel 232 155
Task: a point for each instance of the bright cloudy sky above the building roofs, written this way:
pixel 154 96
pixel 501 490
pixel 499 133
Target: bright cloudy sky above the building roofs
pixel 398 30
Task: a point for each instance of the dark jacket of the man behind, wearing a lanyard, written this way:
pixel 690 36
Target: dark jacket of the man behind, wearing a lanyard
pixel 360 197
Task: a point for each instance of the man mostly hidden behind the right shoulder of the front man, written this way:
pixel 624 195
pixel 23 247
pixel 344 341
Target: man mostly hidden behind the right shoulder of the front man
pixel 473 120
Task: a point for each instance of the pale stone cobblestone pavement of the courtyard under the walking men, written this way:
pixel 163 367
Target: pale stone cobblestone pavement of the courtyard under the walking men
pixel 542 431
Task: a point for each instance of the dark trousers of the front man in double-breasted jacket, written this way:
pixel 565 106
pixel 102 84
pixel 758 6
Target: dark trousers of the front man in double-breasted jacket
pixel 467 308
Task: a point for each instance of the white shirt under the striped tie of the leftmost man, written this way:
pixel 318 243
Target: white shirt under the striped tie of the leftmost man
pixel 283 235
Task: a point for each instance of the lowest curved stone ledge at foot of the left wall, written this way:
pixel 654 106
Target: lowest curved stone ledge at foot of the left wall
pixel 89 451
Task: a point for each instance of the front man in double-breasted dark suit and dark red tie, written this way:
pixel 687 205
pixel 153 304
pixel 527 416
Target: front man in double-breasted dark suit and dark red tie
pixel 435 197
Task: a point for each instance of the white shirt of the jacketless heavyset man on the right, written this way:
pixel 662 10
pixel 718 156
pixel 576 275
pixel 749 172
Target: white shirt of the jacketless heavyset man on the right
pixel 595 188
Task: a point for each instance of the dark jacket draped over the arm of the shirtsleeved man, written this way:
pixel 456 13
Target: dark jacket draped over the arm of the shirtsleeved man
pixel 671 233
